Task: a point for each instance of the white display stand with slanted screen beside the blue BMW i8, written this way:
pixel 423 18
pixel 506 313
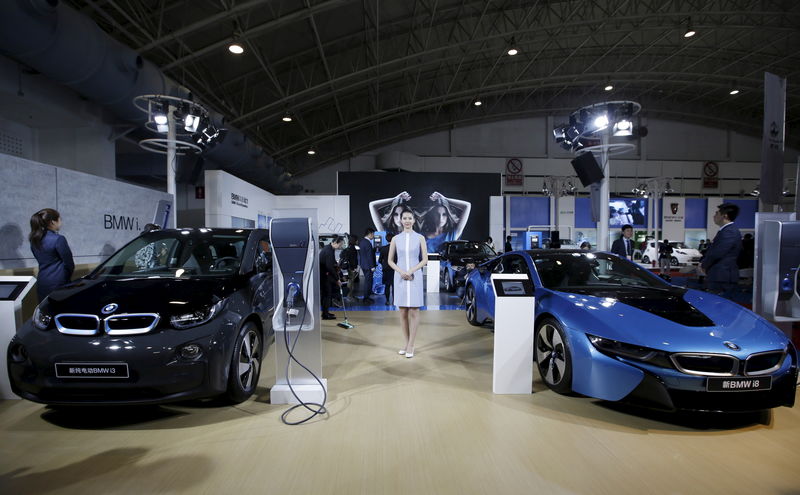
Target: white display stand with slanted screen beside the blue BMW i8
pixel 512 367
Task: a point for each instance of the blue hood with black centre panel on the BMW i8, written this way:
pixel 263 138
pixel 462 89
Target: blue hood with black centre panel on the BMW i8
pixel 675 320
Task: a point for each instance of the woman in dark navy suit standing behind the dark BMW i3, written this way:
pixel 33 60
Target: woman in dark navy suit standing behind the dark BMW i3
pixel 51 251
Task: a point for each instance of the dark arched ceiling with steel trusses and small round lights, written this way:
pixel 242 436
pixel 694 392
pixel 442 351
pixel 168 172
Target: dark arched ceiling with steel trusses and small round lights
pixel 359 74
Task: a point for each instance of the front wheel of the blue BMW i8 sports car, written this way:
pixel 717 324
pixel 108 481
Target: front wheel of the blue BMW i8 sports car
pixel 553 356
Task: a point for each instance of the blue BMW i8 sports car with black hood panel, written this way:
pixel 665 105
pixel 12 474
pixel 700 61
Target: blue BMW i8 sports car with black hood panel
pixel 609 329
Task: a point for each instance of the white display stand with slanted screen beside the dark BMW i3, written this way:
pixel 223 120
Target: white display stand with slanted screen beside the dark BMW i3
pixel 13 290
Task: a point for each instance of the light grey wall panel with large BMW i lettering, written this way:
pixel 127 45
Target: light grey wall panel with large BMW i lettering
pixel 99 215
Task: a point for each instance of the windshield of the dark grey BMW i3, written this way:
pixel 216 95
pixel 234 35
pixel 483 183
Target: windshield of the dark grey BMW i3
pixel 176 254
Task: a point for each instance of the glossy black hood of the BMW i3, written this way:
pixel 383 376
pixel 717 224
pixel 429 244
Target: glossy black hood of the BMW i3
pixel 137 295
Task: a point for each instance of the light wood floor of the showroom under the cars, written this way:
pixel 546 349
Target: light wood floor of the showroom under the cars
pixel 427 425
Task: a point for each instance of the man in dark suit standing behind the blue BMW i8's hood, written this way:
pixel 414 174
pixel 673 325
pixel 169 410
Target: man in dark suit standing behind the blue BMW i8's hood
pixel 719 263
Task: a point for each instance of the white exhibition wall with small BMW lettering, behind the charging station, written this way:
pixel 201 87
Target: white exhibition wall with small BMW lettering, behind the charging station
pixel 232 202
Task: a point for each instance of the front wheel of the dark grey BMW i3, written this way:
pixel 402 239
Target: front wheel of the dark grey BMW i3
pixel 245 367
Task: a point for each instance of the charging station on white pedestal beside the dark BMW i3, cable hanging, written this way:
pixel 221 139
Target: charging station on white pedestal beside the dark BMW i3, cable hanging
pixel 298 342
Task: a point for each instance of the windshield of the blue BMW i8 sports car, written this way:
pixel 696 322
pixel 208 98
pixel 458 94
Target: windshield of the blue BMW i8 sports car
pixel 591 270
